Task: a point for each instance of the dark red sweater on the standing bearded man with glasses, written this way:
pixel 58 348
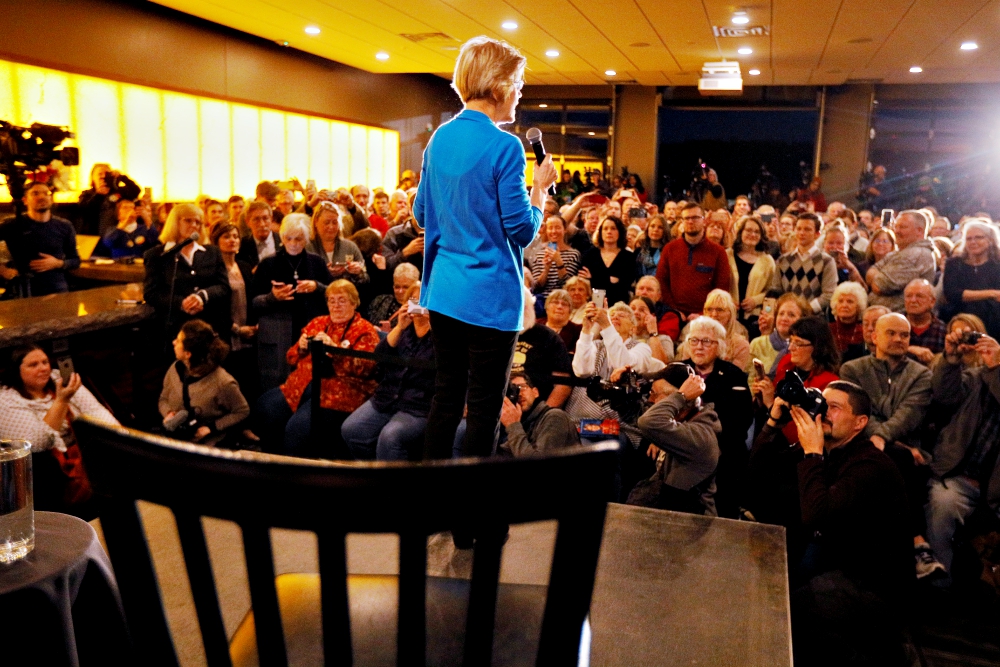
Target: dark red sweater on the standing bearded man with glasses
pixel 688 273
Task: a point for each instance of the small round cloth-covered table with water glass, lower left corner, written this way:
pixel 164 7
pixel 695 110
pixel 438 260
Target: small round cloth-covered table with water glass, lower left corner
pixel 60 602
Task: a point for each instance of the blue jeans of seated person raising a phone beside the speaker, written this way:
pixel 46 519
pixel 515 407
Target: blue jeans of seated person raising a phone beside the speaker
pixel 385 436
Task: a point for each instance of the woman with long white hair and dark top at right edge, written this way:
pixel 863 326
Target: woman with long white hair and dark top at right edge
pixel 972 274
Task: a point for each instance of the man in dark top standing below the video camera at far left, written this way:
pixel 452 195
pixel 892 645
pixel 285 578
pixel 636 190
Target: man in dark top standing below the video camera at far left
pixel 42 246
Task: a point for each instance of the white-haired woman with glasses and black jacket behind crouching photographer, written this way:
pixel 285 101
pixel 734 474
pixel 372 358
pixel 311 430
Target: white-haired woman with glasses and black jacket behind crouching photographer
pixel 726 388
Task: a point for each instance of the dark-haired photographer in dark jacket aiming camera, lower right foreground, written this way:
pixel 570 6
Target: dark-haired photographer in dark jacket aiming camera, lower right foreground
pixel 857 569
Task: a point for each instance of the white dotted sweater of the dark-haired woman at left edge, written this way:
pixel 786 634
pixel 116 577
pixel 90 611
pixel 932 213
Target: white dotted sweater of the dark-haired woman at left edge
pixel 24 418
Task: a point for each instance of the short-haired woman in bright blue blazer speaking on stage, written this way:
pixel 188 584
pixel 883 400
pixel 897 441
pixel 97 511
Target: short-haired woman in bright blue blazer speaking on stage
pixel 478 217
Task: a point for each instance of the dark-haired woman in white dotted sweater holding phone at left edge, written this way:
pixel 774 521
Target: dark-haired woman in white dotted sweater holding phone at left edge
pixel 38 406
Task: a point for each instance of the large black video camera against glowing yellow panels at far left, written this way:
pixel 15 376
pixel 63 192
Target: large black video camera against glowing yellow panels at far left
pixel 27 149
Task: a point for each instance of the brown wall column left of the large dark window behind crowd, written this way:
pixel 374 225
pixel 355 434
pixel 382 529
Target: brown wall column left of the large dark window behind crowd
pixel 635 132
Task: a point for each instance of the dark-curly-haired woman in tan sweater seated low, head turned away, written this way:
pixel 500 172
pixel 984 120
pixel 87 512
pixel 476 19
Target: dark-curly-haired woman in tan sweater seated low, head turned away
pixel 200 401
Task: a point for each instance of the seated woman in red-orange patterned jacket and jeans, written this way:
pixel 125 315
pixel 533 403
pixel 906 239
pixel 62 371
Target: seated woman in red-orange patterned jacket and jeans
pixel 284 413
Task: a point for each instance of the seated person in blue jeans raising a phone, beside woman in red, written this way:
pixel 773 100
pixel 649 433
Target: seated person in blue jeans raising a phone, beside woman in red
pixel 390 425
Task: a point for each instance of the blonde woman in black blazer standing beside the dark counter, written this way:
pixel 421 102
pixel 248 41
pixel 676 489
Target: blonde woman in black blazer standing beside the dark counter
pixel 188 283
